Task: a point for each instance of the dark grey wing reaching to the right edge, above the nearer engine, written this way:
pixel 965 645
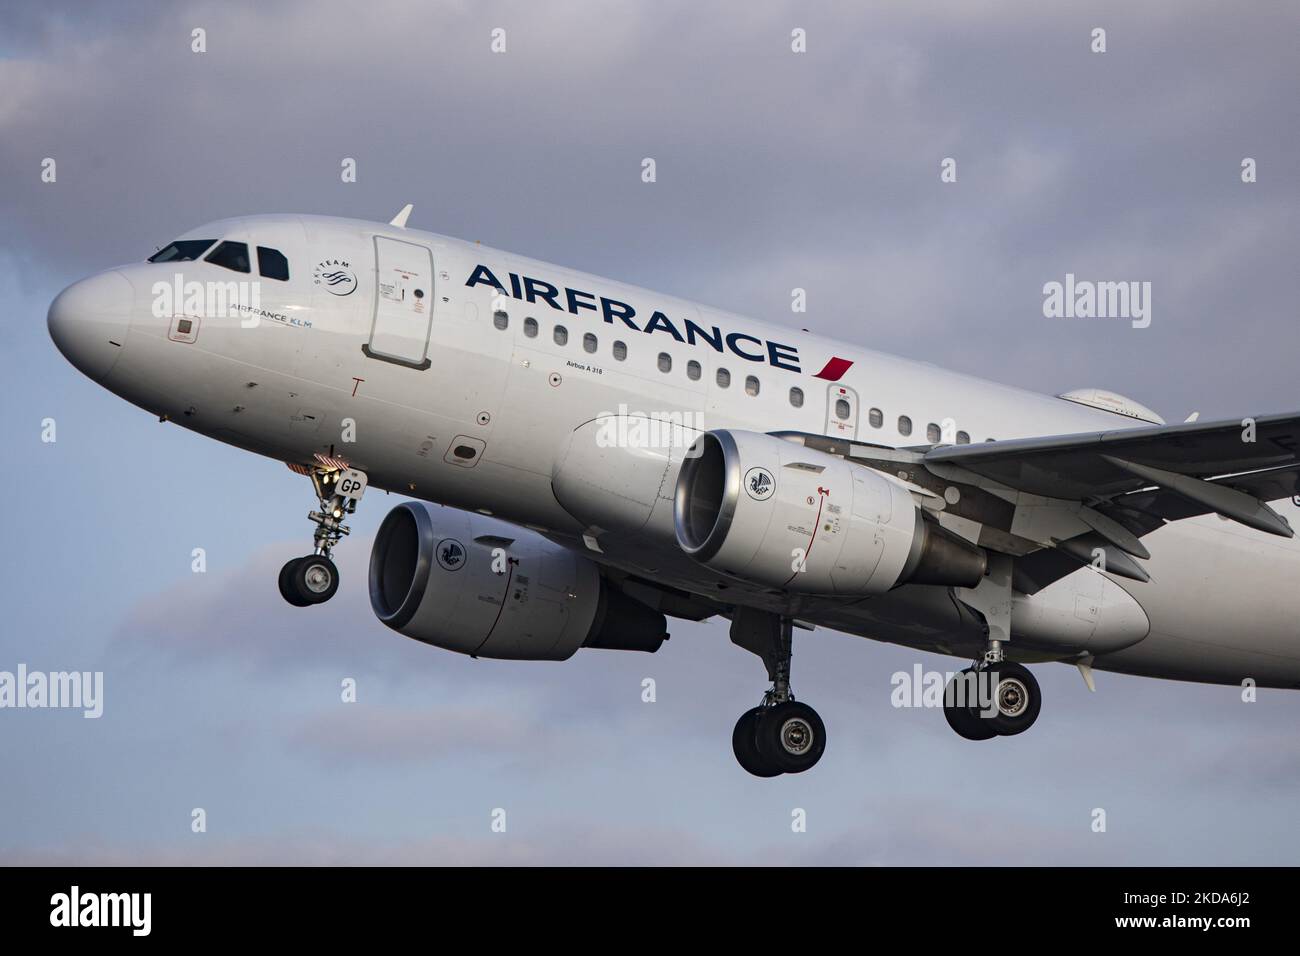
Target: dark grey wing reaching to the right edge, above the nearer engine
pixel 1055 503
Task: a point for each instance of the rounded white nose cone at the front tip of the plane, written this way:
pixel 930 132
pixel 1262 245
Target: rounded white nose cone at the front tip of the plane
pixel 89 319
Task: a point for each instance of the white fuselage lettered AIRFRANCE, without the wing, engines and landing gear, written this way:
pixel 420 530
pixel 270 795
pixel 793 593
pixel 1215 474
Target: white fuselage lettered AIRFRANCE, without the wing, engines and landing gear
pixel 440 373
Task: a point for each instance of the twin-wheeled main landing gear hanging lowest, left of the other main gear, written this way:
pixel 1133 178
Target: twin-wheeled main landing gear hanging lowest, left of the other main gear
pixel 781 736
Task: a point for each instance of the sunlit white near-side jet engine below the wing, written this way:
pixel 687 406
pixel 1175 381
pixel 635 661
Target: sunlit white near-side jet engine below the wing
pixel 787 517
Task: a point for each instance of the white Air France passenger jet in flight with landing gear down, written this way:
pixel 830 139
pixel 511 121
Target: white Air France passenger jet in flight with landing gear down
pixel 584 460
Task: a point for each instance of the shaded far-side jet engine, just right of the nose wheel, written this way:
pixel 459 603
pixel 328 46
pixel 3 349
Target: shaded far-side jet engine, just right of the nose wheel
pixel 482 587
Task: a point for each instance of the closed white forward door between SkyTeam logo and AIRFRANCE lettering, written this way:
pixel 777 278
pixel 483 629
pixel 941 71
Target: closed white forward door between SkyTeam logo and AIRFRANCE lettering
pixel 404 304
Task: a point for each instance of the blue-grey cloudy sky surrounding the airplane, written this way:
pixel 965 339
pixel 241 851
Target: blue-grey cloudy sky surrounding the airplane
pixel 775 171
